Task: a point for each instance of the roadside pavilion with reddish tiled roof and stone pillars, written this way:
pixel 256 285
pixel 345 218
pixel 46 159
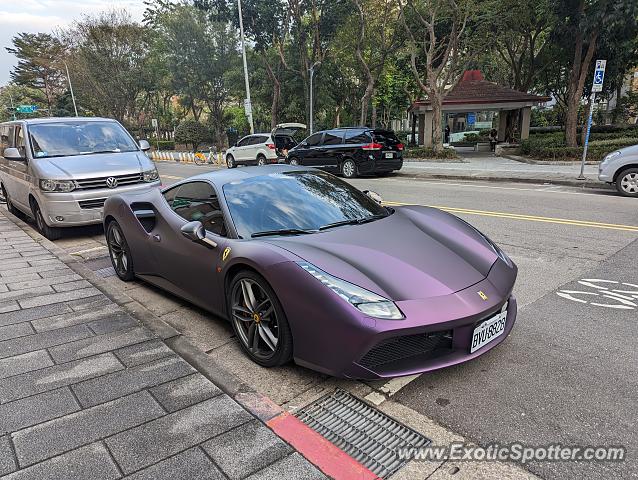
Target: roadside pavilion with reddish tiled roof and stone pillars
pixel 474 93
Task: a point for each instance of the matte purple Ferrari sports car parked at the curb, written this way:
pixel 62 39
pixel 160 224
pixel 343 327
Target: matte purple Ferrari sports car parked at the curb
pixel 307 267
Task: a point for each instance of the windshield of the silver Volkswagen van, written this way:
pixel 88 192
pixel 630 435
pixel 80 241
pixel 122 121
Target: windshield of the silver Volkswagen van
pixel 76 137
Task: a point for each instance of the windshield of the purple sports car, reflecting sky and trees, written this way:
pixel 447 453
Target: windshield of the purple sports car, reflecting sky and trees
pixel 294 203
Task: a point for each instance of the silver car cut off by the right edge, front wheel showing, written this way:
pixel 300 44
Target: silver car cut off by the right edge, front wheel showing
pixel 620 168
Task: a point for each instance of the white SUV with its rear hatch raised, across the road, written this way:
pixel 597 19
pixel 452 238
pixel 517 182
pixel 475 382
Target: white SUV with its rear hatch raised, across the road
pixel 264 148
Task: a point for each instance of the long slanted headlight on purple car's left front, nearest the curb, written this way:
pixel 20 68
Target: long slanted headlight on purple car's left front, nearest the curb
pixel 364 300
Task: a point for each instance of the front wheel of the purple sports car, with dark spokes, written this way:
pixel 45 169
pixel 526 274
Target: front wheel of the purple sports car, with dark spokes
pixel 252 326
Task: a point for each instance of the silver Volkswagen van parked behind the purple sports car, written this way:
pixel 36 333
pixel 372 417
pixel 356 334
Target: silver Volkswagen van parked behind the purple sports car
pixel 60 171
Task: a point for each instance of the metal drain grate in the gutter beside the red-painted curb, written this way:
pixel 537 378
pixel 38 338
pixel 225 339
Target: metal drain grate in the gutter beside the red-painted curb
pixel 367 435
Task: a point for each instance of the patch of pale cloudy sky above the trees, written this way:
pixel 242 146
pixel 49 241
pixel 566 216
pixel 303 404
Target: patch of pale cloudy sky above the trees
pixel 46 16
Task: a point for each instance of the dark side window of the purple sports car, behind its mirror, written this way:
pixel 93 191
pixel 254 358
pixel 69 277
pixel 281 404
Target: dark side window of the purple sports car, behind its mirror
pixel 197 201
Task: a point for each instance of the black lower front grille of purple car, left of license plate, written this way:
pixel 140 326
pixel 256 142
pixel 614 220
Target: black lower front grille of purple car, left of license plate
pixel 401 348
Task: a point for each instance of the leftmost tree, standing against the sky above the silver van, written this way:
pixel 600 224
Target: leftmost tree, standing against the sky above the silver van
pixel 39 59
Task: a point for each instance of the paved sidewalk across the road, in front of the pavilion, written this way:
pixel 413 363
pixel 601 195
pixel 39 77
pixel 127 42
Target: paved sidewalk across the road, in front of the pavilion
pixel 483 166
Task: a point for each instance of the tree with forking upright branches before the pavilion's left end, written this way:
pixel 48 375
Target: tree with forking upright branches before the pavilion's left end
pixel 438 41
